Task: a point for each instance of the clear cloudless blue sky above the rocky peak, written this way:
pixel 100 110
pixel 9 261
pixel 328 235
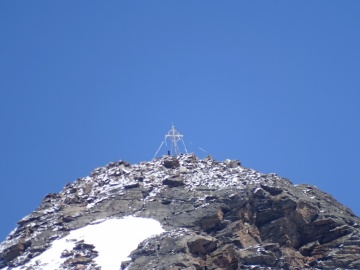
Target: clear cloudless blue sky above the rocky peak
pixel 275 84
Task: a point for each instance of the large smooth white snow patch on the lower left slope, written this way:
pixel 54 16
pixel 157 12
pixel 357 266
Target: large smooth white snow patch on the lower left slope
pixel 114 239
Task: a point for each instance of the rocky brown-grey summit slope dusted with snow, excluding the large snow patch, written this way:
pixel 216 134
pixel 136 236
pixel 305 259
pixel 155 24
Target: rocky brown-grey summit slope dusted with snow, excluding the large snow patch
pixel 216 215
